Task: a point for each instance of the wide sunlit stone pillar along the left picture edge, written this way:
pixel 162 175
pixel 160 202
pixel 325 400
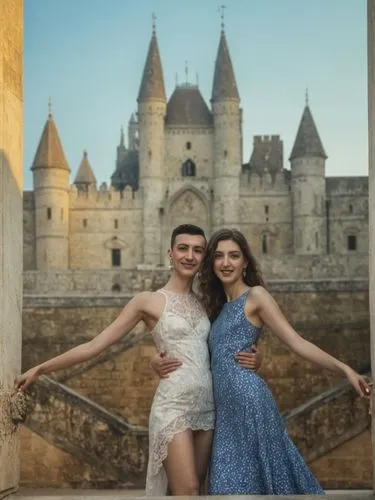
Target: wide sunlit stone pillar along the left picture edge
pixel 11 16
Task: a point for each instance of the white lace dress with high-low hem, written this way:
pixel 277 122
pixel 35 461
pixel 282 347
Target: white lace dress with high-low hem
pixel 185 399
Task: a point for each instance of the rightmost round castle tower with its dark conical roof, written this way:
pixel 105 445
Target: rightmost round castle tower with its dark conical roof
pixel 307 161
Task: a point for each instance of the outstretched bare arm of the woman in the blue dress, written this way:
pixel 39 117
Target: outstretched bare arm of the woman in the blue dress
pixel 271 315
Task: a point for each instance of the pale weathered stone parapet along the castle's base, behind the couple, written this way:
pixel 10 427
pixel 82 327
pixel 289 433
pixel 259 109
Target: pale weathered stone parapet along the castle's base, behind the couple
pixel 112 282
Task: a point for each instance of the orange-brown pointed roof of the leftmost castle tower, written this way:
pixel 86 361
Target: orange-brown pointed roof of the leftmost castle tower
pixel 50 152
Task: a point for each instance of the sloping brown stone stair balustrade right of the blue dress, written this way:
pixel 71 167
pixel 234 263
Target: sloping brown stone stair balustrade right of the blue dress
pixel 328 420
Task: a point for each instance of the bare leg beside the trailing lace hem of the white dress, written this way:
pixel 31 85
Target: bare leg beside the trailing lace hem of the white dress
pixel 180 465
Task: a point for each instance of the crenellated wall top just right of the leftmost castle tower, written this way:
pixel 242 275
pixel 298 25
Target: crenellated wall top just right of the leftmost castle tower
pixel 105 197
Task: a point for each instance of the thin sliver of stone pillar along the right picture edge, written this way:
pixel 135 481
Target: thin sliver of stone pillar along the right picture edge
pixel 371 129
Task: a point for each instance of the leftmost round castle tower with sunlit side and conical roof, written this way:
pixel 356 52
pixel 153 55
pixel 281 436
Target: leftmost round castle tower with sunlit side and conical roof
pixel 51 182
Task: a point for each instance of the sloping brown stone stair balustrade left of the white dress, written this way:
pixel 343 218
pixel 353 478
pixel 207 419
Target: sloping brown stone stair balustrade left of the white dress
pixel 116 450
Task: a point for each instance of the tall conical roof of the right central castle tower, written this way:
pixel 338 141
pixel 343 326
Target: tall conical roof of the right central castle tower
pixel 224 86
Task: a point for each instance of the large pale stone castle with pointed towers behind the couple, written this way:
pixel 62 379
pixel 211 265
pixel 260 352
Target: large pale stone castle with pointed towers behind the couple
pixel 183 163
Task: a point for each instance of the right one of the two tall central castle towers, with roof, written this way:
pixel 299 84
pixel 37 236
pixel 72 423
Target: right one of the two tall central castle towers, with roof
pixel 227 140
